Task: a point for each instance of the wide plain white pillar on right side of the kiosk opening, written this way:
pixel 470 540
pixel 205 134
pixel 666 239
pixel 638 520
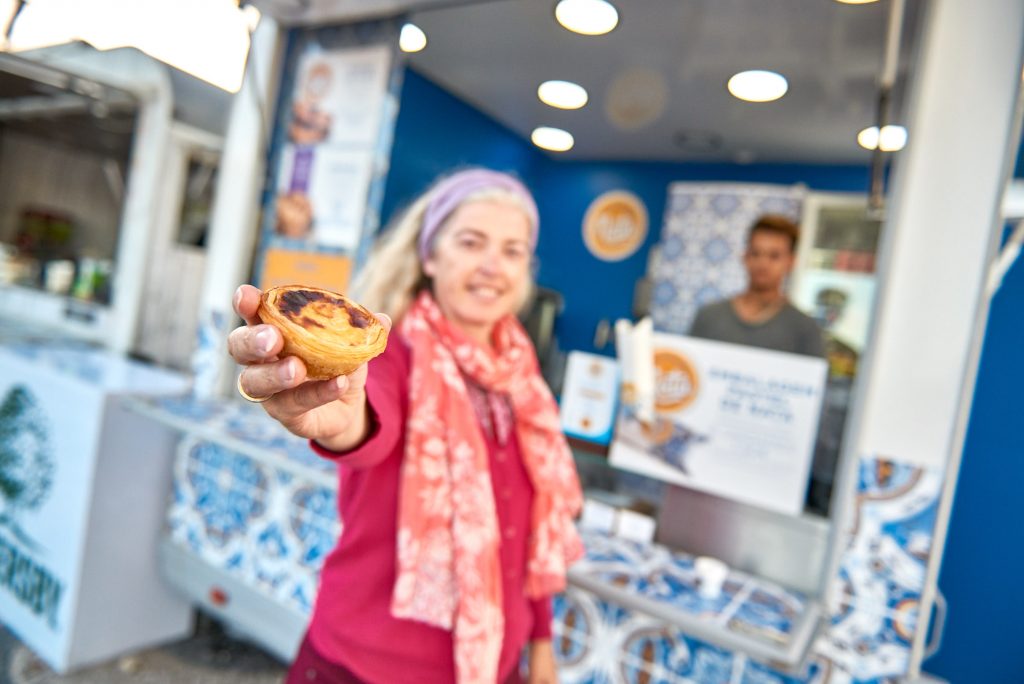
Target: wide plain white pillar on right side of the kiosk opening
pixel 937 241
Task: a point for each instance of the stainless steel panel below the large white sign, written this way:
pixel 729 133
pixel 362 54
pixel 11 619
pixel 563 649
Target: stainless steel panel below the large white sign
pixel 789 550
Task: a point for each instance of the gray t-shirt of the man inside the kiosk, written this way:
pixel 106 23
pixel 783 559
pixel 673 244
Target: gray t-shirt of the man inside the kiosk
pixel 790 330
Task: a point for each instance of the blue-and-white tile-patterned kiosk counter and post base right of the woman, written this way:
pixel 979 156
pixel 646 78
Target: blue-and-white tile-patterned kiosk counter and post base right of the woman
pixel 869 632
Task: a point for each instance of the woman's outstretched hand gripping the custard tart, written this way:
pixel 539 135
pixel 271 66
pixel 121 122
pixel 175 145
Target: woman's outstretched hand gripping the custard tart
pixel 331 412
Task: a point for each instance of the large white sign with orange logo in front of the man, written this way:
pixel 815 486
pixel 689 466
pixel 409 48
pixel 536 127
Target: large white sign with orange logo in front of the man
pixel 738 422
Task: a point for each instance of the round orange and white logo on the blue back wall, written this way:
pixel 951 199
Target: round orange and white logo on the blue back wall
pixel 615 226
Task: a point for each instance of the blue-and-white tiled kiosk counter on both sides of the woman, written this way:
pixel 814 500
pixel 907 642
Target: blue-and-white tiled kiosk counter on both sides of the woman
pixel 254 503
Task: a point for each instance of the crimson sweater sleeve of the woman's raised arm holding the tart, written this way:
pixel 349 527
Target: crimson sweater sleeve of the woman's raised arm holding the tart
pixel 388 383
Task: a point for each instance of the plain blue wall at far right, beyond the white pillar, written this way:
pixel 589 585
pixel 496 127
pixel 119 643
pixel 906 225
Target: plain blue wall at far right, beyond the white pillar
pixel 985 555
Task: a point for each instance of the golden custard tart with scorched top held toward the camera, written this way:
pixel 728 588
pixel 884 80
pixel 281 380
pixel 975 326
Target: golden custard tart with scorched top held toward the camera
pixel 330 333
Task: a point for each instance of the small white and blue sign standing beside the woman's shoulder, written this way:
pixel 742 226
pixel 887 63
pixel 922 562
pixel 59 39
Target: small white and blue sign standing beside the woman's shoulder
pixel 589 395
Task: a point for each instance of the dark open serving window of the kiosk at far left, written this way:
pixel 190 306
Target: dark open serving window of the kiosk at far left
pixel 65 154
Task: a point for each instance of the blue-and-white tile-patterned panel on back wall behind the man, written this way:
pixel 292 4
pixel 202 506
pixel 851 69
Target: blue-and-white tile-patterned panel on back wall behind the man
pixel 700 258
